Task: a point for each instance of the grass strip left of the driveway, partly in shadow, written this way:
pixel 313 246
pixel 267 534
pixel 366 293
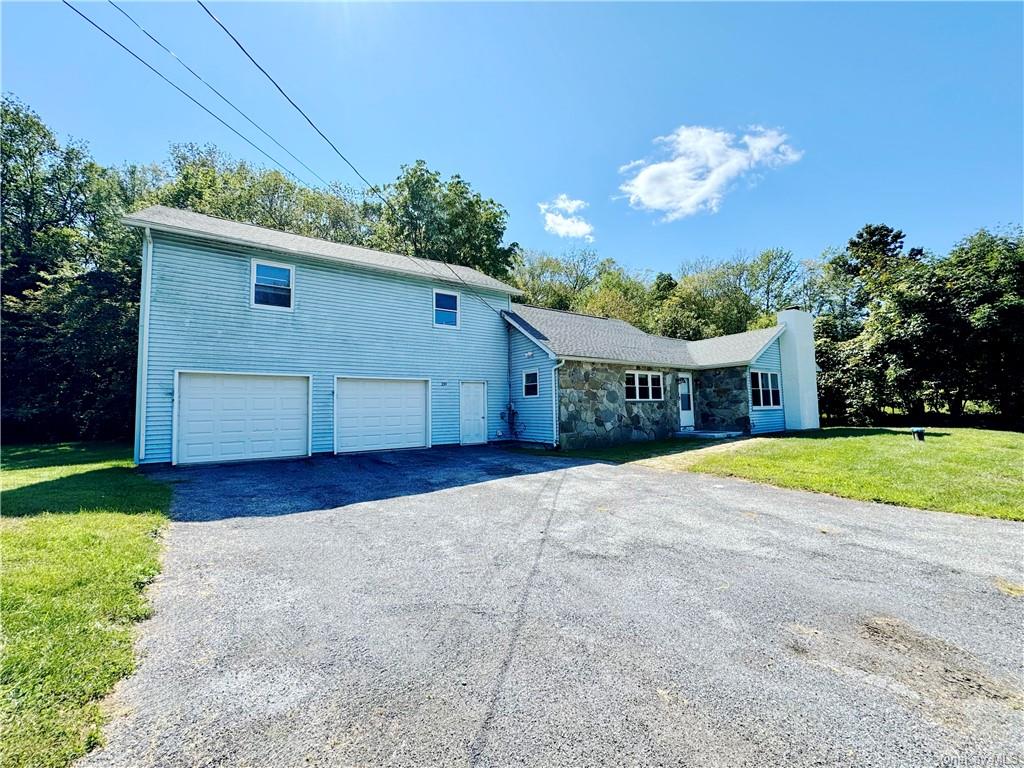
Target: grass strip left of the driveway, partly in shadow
pixel 79 539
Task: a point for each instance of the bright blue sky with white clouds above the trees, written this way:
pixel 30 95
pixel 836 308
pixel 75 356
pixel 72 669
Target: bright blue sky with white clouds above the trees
pixel 674 132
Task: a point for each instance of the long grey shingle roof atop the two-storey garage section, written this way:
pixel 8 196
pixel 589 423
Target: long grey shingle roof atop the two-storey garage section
pixel 198 225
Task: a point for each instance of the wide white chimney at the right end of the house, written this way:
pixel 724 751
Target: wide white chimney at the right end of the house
pixel 800 381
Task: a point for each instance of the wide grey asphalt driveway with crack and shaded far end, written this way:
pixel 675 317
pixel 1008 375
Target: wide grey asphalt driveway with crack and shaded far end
pixel 481 608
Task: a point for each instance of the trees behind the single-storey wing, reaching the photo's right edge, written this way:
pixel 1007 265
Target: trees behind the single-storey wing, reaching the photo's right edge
pixel 899 331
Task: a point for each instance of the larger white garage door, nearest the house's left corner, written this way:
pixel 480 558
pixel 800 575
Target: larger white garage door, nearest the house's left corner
pixel 233 417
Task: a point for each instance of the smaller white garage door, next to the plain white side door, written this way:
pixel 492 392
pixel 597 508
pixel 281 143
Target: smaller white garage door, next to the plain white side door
pixel 380 414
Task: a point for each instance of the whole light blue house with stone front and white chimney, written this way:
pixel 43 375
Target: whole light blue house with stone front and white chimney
pixel 255 344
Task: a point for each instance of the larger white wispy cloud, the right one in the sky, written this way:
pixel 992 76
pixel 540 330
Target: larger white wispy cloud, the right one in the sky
pixel 702 165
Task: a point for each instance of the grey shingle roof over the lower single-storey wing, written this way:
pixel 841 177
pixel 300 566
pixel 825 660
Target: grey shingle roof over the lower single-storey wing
pixel 574 335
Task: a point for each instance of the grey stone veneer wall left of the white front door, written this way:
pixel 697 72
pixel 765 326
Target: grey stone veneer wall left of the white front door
pixel 593 411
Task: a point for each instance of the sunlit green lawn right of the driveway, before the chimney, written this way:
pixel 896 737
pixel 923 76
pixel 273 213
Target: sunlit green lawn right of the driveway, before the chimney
pixel 969 472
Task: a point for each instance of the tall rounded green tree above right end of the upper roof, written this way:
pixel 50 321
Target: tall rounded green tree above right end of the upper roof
pixel 431 219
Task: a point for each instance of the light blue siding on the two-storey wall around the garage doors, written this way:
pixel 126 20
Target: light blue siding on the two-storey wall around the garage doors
pixel 347 322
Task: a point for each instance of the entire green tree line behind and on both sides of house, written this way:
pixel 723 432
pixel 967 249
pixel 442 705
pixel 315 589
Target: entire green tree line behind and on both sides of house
pixel 897 328
